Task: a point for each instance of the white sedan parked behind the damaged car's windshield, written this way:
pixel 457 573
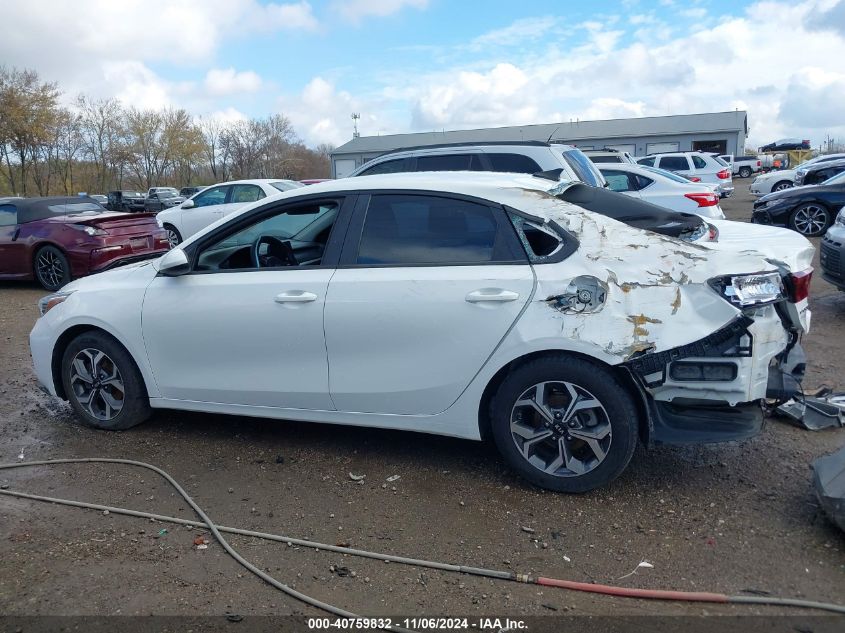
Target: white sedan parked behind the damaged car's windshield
pixel 215 202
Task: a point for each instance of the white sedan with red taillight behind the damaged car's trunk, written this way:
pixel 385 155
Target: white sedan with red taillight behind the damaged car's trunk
pixel 662 188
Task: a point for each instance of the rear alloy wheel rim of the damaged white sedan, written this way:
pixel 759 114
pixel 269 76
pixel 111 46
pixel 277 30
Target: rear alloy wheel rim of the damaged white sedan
pixel 561 429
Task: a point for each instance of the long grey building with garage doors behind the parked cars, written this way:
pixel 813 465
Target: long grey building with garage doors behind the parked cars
pixel 722 132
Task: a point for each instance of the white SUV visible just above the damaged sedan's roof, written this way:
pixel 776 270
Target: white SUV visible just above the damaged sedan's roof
pixel 523 157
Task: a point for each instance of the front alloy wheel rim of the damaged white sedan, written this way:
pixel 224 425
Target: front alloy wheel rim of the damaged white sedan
pixel 97 384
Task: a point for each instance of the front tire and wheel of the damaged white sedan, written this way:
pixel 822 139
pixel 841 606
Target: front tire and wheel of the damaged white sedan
pixel 96 365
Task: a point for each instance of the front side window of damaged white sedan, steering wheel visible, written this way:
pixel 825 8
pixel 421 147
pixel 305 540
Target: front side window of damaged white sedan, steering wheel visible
pixel 296 236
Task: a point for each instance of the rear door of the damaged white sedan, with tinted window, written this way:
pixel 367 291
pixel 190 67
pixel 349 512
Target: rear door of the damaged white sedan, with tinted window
pixel 427 288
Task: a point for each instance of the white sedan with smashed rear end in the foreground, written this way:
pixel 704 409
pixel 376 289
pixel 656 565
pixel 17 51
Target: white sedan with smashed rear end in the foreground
pixel 470 305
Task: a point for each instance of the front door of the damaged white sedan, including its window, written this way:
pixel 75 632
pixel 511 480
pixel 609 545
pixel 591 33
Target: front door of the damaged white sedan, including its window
pixel 235 333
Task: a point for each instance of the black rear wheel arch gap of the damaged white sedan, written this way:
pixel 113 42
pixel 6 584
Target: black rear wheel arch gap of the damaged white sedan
pixel 624 377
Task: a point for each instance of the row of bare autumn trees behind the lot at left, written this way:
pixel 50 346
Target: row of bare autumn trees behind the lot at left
pixel 97 145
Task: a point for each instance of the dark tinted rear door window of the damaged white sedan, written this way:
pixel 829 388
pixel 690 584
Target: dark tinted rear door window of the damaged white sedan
pixel 408 230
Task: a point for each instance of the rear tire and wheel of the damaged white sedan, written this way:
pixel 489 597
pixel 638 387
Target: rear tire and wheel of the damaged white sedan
pixel 531 442
